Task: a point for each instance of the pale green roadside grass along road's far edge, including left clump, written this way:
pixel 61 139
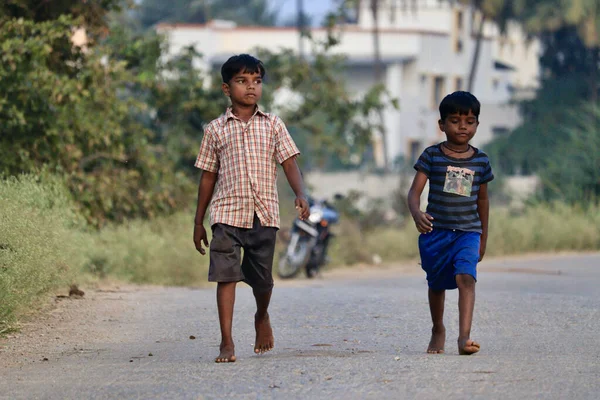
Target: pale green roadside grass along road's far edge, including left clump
pixel 45 245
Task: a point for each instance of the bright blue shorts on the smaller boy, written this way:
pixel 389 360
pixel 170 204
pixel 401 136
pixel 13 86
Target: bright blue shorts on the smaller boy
pixel 446 253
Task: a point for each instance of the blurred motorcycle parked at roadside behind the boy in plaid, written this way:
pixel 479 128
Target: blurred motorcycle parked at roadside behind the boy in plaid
pixel 308 242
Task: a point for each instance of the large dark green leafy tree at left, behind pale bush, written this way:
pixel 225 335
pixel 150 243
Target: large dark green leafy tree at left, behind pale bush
pixel 76 117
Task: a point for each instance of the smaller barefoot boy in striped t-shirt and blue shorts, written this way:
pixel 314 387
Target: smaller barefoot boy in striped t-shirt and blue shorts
pixel 454 228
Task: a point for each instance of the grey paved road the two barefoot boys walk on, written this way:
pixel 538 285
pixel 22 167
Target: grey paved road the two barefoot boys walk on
pixel 537 319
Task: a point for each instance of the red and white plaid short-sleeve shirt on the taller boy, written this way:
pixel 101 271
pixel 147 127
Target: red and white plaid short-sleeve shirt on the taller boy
pixel 245 157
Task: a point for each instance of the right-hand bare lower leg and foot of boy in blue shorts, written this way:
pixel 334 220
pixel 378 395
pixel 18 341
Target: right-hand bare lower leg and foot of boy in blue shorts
pixel 466 304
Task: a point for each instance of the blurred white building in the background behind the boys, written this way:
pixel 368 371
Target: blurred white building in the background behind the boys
pixel 426 54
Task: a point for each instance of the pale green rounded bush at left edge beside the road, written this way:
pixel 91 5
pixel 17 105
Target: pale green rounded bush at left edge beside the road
pixel 40 238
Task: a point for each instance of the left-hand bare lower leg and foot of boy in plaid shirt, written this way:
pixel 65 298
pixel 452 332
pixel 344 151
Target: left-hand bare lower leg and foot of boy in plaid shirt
pixel 225 302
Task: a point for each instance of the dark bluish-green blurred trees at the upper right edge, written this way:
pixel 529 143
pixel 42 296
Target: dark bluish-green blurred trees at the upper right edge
pixel 563 113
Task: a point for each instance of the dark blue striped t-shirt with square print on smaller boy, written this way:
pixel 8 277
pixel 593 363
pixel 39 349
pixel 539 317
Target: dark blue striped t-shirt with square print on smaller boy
pixel 454 187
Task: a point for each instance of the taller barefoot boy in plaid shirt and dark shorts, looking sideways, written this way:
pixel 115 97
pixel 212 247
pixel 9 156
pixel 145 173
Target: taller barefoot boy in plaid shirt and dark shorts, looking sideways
pixel 238 158
